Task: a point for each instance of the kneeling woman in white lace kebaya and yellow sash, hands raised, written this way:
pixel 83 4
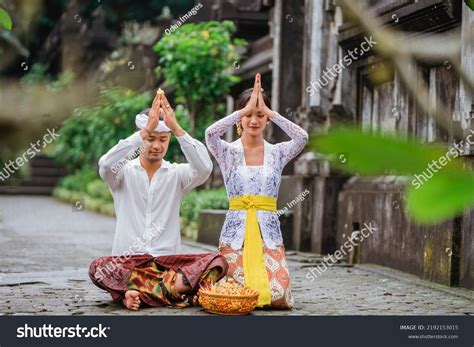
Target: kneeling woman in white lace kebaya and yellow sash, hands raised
pixel 252 169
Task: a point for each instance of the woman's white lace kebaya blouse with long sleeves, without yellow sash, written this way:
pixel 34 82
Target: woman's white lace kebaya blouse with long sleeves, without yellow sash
pixel 241 179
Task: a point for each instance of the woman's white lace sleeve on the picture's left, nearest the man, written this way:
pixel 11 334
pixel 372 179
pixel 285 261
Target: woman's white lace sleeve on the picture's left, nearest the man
pixel 215 144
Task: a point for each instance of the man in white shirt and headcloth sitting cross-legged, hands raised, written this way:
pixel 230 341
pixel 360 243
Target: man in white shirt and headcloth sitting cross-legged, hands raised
pixel 147 193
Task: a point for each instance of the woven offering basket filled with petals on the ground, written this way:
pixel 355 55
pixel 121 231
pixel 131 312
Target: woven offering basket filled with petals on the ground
pixel 229 298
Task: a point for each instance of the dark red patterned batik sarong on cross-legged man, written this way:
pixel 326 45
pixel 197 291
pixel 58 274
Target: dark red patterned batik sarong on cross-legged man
pixel 155 277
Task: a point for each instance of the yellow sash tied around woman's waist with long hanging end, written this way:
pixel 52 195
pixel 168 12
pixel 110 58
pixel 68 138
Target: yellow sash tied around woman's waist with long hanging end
pixel 255 271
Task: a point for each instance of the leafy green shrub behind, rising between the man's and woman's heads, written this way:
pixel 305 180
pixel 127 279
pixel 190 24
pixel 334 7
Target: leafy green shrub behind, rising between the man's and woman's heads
pixel 196 60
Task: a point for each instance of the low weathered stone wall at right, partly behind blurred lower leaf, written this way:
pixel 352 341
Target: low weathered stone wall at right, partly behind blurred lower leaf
pixel 440 253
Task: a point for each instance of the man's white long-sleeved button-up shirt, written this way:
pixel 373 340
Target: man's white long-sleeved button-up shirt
pixel 148 213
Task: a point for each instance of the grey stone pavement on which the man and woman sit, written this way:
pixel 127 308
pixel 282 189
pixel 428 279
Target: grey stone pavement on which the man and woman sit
pixel 46 248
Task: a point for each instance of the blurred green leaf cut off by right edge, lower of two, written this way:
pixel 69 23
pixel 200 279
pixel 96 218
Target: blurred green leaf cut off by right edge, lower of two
pixel 441 197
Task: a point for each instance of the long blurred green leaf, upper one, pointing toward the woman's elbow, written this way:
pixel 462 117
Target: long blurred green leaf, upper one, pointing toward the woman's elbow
pixel 377 154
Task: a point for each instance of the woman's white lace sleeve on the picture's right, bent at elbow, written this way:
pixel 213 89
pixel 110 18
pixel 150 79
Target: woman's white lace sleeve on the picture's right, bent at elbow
pixel 299 137
